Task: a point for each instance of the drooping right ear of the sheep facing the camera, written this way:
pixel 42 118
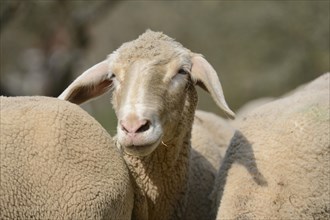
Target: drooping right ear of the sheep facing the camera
pixel 206 77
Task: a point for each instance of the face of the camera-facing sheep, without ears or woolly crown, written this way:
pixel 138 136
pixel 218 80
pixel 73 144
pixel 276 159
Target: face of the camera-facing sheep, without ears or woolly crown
pixel 151 98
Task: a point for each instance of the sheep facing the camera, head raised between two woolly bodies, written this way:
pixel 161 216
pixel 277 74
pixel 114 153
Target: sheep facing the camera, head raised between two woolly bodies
pixel 153 80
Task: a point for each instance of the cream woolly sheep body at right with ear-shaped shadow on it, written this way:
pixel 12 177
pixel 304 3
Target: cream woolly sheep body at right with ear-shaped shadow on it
pixel 278 163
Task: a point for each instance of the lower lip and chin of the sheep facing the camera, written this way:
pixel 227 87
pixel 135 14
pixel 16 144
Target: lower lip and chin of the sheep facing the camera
pixel 141 150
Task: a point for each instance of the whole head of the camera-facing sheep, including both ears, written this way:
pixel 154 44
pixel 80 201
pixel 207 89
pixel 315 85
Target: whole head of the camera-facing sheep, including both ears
pixel 153 80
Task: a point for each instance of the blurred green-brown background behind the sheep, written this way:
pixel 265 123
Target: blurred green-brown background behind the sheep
pixel 259 48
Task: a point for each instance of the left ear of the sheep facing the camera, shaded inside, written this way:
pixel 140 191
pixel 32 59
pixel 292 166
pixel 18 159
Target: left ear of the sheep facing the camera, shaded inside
pixel 92 83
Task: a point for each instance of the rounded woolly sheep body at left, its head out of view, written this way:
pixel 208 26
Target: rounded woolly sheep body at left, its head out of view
pixel 57 162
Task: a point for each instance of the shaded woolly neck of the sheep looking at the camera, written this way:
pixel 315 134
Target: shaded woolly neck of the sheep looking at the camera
pixel 161 179
